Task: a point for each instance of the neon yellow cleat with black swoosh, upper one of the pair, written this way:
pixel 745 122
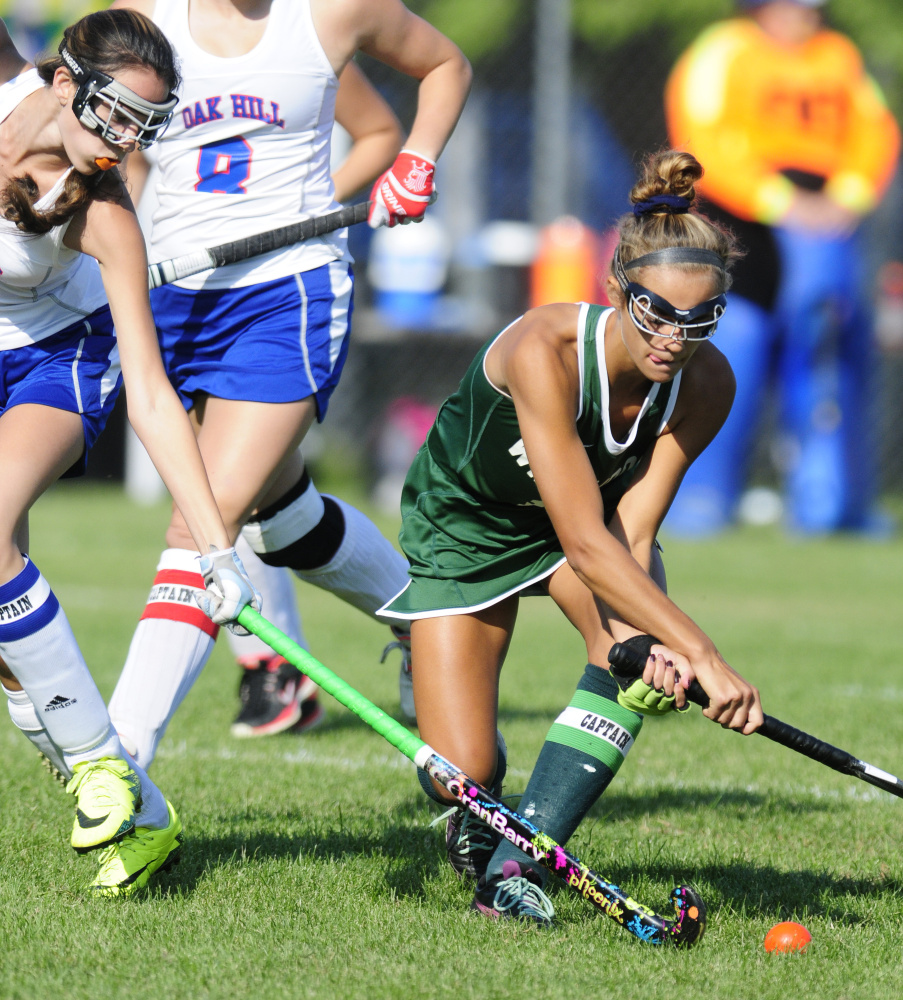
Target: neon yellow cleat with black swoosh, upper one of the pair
pixel 108 792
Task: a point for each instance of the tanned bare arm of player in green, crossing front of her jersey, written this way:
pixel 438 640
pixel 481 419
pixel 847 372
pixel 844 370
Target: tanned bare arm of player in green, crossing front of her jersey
pixel 540 371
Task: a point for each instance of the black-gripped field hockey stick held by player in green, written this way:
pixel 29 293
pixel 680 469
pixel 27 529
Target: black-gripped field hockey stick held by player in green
pixel 627 664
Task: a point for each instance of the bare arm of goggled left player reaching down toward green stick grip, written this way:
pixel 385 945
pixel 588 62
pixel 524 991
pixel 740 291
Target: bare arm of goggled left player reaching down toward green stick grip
pixel 108 231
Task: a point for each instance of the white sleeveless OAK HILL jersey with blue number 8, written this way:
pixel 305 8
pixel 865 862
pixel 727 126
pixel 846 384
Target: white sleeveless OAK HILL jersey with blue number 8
pixel 248 147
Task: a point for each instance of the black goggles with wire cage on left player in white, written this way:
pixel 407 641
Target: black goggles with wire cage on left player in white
pixel 117 114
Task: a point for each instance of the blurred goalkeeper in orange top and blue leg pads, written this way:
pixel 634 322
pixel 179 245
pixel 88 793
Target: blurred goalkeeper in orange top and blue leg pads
pixel 798 146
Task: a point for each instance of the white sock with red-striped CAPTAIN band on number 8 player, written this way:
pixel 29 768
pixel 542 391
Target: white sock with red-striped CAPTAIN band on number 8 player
pixel 170 646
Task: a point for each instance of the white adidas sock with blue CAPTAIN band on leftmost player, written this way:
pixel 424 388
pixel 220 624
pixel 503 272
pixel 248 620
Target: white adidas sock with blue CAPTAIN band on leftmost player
pixel 38 646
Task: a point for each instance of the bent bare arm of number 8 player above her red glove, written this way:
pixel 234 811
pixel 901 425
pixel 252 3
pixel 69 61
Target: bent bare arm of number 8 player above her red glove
pixel 388 31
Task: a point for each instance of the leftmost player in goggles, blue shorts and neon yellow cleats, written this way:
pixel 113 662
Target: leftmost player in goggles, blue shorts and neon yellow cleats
pixel 73 265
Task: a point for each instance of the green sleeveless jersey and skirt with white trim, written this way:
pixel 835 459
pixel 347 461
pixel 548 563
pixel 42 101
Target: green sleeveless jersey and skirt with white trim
pixel 473 524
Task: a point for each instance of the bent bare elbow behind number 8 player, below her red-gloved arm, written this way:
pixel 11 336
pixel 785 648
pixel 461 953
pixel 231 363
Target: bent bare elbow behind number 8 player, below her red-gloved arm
pixel 375 132
